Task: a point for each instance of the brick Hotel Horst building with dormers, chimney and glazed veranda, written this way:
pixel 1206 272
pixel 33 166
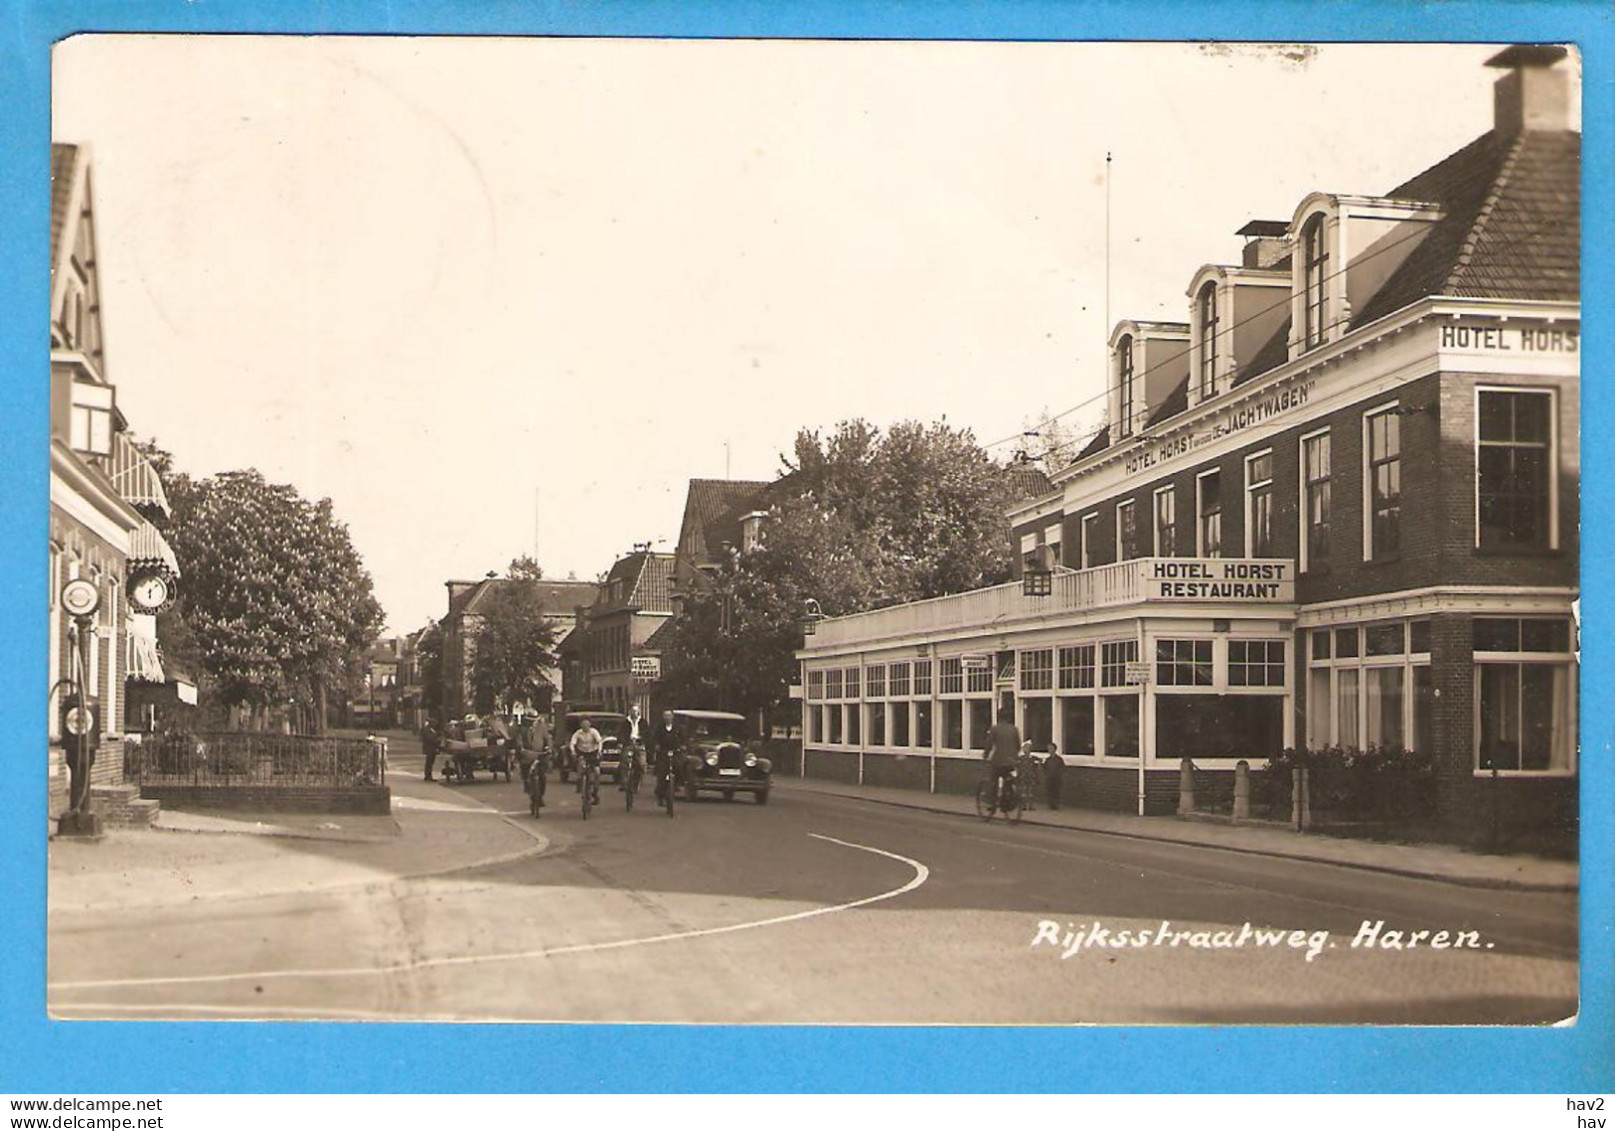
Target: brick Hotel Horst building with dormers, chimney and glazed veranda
pixel 1338 507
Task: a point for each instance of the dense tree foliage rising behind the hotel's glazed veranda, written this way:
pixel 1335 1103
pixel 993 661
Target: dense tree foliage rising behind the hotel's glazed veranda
pixel 862 521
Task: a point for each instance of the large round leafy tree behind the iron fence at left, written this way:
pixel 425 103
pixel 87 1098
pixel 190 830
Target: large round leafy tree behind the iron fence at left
pixel 275 594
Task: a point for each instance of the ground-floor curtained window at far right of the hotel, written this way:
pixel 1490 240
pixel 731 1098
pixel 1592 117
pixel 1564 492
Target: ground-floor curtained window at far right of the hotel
pixel 1524 696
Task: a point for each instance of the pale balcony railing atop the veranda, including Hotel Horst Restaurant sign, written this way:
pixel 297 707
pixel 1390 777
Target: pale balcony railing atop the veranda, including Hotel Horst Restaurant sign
pixel 1143 581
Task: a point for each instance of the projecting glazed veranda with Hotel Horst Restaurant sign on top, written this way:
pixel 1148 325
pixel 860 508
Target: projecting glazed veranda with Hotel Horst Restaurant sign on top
pixel 1122 671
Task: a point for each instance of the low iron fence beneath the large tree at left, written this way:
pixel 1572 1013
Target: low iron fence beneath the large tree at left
pixel 258 760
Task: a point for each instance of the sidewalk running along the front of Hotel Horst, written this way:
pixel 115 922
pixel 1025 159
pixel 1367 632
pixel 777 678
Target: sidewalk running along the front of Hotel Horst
pixel 1445 864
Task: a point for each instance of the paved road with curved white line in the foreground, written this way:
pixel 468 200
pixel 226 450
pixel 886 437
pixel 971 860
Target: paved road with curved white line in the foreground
pixel 820 910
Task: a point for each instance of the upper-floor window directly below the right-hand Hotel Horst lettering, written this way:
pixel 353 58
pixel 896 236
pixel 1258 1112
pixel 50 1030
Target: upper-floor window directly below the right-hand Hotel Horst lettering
pixel 1516 468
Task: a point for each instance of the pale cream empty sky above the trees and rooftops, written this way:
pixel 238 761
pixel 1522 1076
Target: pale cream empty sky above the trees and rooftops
pixel 508 296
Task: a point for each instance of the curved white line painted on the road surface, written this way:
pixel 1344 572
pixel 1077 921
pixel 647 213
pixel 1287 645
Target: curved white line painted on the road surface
pixel 921 875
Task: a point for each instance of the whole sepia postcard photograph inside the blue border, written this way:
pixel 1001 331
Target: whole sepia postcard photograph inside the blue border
pixel 747 532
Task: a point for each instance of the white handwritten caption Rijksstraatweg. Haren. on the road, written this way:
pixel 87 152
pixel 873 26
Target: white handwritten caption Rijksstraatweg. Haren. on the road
pixel 1072 940
